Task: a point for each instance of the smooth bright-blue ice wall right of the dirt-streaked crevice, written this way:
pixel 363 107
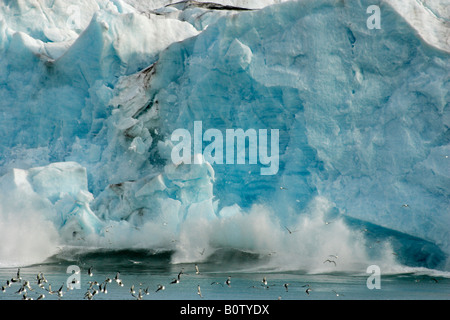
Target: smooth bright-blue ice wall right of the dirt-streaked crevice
pixel 363 114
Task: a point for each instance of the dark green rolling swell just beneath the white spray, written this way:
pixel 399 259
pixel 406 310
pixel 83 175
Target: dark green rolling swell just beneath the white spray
pixel 222 260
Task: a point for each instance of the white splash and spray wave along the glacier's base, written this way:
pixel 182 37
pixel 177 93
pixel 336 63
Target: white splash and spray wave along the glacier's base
pixel 319 241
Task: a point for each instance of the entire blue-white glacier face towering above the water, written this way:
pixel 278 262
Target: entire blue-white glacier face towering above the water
pixel 91 92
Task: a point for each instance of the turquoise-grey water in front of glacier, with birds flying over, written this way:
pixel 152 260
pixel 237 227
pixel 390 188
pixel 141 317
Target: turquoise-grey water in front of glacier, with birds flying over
pixel 145 271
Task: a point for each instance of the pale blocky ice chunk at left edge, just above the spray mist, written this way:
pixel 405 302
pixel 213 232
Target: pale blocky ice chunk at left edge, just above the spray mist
pixel 57 193
